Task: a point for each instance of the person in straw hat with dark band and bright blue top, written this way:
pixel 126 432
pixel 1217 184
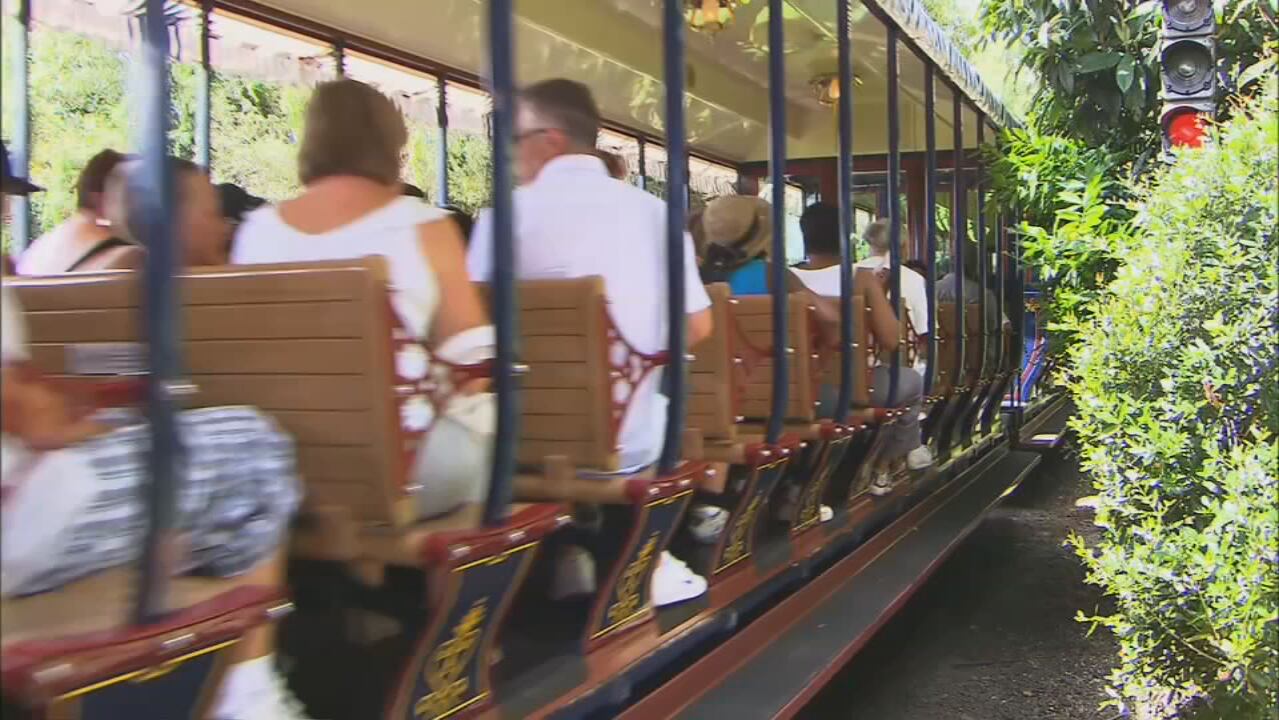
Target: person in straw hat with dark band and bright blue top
pixel 739 235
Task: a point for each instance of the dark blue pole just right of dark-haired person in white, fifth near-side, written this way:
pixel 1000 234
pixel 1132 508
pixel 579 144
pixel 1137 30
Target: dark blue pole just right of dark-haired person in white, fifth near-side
pixel 846 213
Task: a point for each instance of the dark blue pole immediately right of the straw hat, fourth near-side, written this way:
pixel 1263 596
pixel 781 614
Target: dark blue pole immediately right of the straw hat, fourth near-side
pixel 778 255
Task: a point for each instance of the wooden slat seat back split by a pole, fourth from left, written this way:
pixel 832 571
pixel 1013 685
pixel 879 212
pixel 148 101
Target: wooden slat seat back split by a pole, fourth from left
pixel 754 317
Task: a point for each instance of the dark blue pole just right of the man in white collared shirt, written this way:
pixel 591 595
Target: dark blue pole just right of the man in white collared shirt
pixel 677 204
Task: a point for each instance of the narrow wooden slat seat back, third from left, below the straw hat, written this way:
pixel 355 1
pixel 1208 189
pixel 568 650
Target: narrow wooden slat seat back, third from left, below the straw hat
pixel 714 382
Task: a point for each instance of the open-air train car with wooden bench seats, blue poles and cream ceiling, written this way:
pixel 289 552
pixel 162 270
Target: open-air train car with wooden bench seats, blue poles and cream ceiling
pixel 870 108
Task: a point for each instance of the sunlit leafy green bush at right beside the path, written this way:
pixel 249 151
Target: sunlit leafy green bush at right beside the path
pixel 1177 388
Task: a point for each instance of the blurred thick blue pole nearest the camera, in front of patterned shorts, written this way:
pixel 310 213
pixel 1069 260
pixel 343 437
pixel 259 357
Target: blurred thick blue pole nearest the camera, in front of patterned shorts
pixel 153 192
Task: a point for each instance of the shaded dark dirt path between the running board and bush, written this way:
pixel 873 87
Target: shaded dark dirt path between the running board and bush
pixel 992 636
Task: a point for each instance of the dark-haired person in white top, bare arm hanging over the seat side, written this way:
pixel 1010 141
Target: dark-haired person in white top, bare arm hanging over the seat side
pixel 820 227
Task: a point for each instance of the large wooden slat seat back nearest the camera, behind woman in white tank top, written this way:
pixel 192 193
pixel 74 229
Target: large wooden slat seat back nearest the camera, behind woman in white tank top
pixel 310 345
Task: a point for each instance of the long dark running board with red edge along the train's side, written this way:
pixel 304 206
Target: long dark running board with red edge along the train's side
pixel 774 666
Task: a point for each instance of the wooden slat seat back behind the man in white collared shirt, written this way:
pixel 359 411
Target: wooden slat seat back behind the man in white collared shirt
pixel 566 405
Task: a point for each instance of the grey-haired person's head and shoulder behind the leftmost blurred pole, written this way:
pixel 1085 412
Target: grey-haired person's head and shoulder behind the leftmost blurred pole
pixel 203 227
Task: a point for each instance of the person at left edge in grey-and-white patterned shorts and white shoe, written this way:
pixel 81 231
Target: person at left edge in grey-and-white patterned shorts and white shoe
pixel 75 488
